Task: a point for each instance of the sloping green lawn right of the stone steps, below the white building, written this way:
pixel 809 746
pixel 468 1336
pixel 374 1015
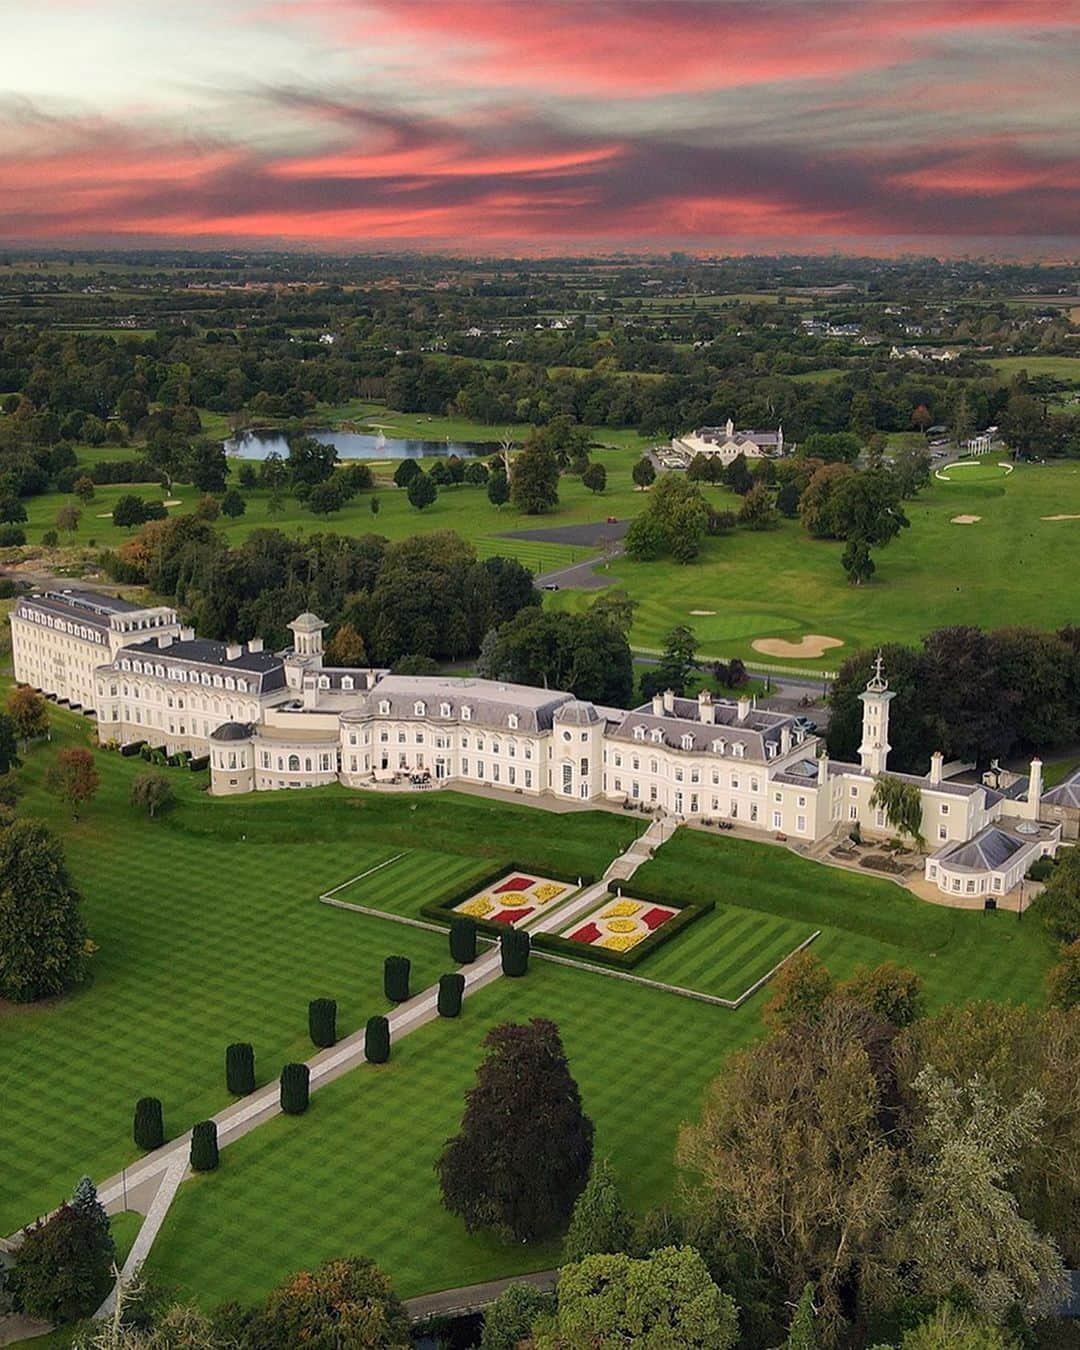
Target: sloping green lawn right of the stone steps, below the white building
pixel 961 954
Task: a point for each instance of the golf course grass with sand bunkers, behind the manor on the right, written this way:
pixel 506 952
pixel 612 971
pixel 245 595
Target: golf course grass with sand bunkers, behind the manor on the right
pixel 781 584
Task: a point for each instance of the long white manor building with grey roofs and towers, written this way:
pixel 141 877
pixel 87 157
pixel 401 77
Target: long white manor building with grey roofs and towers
pixel 284 720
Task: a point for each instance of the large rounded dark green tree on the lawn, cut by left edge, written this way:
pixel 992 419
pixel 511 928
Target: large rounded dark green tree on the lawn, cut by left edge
pixel 43 936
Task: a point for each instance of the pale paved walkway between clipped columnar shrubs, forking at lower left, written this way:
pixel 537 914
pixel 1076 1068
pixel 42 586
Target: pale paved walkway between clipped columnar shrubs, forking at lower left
pixel 152 1185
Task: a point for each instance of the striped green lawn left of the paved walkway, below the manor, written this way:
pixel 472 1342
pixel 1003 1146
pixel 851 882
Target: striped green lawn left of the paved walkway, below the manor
pixel 210 931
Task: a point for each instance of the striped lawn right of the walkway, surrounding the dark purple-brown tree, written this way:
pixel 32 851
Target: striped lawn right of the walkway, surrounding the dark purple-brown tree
pixel 356 1174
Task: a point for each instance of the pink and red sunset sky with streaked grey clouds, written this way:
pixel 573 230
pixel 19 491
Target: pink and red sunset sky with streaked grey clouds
pixel 545 126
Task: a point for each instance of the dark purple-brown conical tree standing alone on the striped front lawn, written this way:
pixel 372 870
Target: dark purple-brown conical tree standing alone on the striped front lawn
pixel 526 1147
